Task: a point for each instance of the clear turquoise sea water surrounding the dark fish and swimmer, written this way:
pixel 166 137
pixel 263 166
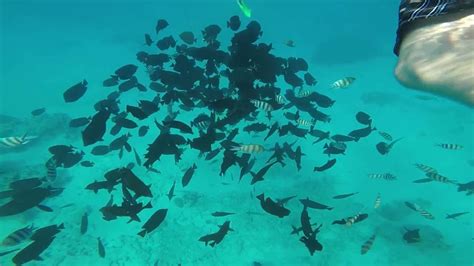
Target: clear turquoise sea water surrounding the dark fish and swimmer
pixel 48 46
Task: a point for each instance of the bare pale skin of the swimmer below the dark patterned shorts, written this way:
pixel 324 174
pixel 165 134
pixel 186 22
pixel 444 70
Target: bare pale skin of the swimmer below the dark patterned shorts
pixel 437 56
